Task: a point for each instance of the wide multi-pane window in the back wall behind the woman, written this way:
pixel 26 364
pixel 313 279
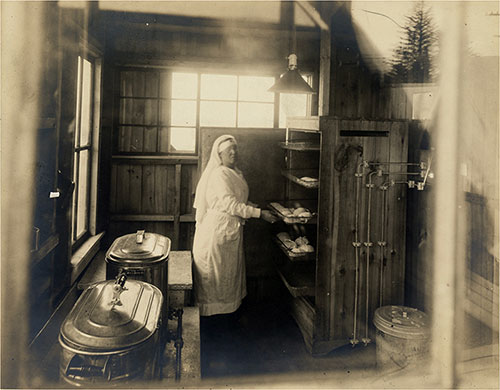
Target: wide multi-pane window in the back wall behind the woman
pixel 160 111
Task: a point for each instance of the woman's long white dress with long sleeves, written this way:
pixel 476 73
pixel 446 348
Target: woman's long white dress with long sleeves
pixel 219 263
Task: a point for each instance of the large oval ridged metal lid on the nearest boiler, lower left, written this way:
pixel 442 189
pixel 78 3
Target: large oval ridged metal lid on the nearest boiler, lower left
pixel 107 317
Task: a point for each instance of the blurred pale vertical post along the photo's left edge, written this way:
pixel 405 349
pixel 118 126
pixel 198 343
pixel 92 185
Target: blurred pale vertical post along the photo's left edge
pixel 22 24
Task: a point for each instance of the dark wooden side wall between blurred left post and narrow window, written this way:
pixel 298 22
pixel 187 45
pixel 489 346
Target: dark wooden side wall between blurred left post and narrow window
pixel 66 36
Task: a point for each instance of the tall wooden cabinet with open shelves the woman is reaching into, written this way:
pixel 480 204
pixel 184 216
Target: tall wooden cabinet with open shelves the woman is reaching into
pixel 322 303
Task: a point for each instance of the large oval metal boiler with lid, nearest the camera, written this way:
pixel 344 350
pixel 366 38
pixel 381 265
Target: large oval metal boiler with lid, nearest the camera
pixel 111 334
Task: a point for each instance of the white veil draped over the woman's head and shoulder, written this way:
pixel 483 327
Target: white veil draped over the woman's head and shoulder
pixel 200 201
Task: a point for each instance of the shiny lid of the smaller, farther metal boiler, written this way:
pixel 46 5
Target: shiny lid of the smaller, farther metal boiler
pixel 140 247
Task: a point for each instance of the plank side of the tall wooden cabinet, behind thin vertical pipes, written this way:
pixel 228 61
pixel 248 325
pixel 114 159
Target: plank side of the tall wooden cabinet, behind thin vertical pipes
pixel 361 225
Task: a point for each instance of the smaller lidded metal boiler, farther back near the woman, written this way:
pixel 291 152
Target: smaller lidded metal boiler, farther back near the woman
pixel 141 256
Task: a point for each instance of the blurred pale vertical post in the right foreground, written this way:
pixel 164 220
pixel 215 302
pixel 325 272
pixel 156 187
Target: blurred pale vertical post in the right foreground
pixel 448 243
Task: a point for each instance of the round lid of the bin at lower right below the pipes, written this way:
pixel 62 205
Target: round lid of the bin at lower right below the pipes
pixel 402 321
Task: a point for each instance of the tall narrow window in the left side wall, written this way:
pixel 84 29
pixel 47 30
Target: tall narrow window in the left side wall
pixel 83 170
